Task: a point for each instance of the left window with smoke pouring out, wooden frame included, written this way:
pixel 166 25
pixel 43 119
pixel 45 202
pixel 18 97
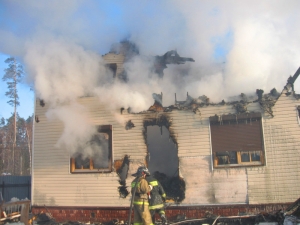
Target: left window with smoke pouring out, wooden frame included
pixel 96 154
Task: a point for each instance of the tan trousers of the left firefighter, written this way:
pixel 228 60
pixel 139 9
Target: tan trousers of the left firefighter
pixel 142 214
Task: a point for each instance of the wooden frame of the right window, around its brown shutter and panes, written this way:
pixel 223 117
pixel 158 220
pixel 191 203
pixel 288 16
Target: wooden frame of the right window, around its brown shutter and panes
pixel 239 163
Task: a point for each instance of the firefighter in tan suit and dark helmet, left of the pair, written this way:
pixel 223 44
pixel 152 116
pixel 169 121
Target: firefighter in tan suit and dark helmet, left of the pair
pixel 140 188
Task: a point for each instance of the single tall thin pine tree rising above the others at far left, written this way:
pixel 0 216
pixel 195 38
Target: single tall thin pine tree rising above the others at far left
pixel 12 76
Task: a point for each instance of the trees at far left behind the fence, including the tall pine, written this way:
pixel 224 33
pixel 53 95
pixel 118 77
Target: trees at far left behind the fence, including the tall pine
pixel 15 132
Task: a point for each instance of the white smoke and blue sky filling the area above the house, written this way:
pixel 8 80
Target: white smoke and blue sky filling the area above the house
pixel 237 47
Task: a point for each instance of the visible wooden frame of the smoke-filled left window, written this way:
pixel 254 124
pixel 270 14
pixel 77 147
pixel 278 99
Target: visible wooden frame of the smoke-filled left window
pixel 100 129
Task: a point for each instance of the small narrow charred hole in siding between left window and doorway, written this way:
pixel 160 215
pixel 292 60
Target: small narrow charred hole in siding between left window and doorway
pixel 122 167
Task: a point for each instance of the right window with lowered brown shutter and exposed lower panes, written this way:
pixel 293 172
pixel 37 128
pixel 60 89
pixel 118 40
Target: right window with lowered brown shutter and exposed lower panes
pixel 237 140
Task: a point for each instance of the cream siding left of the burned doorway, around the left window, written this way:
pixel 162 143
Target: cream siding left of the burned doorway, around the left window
pixel 55 185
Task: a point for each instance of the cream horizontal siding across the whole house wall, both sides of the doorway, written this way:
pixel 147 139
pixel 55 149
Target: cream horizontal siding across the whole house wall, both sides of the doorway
pixel 275 182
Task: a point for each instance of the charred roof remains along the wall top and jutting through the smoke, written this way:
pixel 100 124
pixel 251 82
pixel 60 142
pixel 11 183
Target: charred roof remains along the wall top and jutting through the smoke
pixel 128 50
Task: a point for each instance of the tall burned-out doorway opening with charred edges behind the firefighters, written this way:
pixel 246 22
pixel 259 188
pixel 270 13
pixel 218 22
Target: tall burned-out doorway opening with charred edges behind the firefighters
pixel 162 159
